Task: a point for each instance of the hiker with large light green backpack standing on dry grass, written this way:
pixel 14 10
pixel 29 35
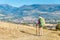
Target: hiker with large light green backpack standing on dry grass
pixel 40 24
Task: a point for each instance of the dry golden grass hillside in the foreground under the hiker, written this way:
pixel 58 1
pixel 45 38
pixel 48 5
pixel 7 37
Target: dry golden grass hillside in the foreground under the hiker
pixel 10 31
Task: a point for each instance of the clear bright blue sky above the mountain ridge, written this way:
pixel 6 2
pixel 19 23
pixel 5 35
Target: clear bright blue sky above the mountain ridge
pixel 18 3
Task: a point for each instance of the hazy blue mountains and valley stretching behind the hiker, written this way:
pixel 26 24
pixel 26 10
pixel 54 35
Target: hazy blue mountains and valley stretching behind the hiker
pixel 29 13
